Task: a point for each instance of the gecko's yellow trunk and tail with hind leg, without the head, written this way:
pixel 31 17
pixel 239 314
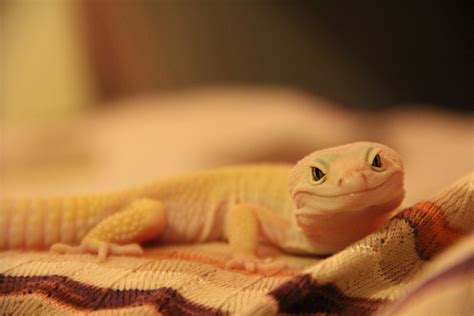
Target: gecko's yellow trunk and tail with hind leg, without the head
pixel 189 208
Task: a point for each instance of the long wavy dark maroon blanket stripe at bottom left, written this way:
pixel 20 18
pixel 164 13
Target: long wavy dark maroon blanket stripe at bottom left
pixel 87 297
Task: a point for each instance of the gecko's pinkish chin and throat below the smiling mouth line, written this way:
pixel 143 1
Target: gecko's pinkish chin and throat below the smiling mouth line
pixel 337 221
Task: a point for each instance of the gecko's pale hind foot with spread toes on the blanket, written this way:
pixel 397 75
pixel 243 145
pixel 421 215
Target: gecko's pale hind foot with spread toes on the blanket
pixel 102 249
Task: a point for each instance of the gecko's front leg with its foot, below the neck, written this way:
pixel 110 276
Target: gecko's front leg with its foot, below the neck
pixel 243 226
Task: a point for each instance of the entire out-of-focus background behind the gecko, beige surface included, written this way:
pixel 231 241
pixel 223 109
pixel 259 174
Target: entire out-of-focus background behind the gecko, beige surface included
pixel 98 96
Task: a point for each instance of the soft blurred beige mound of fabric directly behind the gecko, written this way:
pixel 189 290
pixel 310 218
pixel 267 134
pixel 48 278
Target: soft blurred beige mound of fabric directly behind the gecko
pixel 141 139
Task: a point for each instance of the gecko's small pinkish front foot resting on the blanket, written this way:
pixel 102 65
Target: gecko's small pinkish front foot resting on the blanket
pixel 254 264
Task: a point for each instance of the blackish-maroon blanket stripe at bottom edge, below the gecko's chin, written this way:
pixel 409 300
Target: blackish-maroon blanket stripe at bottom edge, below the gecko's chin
pixel 303 295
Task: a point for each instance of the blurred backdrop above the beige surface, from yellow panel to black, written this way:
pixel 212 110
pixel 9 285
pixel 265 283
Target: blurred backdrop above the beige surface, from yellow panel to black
pixel 64 54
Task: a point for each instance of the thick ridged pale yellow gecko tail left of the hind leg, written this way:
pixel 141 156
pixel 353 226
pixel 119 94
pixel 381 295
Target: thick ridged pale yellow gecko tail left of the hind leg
pixel 40 222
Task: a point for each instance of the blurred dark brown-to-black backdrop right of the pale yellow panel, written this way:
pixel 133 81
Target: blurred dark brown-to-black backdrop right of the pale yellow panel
pixel 368 55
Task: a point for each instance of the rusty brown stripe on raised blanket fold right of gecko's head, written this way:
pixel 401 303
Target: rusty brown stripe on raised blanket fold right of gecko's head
pixel 431 229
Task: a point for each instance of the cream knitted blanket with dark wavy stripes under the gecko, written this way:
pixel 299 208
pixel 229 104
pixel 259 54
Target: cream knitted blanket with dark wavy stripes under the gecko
pixel 422 262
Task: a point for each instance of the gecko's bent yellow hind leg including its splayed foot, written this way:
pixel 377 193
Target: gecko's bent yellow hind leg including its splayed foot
pixel 121 233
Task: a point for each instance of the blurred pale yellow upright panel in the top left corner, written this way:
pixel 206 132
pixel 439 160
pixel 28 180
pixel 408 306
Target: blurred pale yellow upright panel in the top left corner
pixel 46 70
